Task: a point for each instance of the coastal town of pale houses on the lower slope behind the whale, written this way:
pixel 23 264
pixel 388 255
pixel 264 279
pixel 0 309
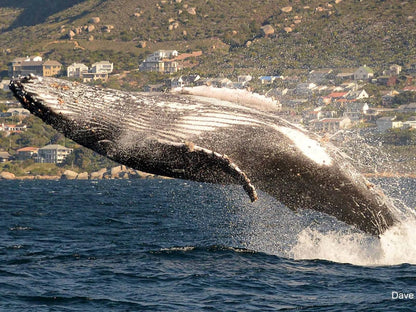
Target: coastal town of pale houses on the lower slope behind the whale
pixel 324 101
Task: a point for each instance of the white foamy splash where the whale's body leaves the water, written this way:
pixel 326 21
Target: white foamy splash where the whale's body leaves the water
pixel 395 246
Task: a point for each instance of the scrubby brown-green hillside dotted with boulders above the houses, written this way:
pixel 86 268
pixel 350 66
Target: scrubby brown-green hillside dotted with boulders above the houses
pixel 307 34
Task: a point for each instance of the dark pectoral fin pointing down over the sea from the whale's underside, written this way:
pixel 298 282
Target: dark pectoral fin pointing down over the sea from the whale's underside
pixel 192 162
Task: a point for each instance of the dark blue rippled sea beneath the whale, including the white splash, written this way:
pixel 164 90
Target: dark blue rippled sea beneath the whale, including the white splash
pixel 172 245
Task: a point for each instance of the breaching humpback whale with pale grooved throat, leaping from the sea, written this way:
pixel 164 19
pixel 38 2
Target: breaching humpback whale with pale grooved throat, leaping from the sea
pixel 208 139
